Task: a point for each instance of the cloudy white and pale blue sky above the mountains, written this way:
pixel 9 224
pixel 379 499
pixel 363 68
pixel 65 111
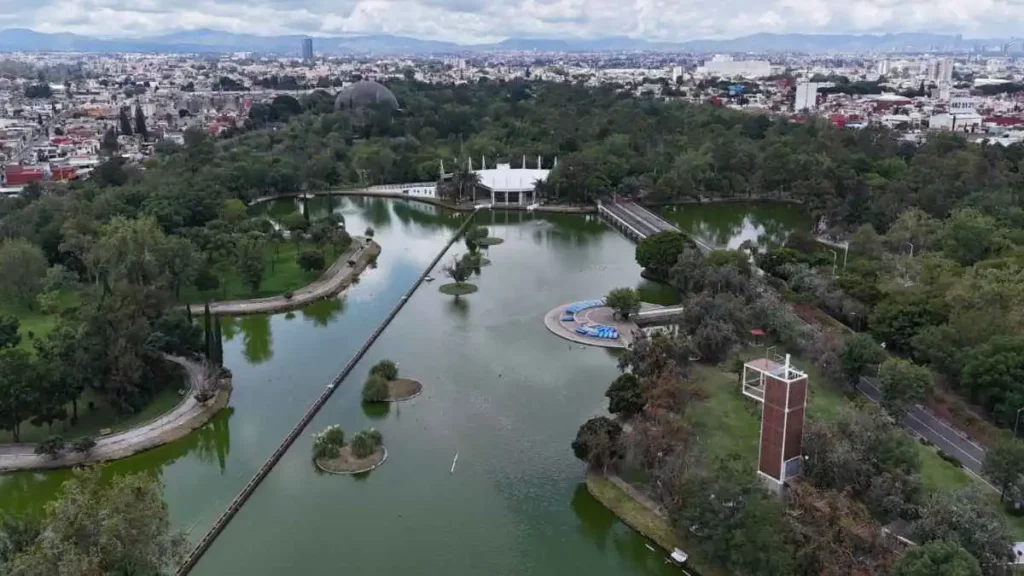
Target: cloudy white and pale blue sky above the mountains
pixel 479 21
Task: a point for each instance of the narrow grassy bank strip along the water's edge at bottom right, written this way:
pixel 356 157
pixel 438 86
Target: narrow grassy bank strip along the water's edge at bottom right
pixel 644 521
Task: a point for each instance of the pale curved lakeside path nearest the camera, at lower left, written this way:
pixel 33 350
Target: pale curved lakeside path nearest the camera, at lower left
pixel 177 424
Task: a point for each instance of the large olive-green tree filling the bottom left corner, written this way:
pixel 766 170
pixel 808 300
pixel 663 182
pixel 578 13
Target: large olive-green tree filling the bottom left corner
pixel 97 527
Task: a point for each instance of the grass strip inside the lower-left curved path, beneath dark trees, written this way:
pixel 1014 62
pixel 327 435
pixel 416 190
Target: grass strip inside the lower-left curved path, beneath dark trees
pixel 92 422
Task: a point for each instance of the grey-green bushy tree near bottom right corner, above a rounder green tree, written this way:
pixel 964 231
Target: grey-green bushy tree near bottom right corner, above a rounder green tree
pixel 965 517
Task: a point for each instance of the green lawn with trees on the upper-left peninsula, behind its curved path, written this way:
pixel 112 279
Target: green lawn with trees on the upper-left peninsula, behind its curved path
pixel 281 275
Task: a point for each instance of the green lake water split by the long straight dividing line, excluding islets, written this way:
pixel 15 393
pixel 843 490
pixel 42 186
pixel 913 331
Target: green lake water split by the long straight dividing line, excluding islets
pixel 500 391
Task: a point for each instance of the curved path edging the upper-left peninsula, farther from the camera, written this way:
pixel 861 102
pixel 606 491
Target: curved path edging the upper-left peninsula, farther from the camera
pixel 333 281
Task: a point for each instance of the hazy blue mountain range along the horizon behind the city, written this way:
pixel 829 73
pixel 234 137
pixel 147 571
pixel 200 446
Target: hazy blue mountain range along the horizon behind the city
pixel 217 42
